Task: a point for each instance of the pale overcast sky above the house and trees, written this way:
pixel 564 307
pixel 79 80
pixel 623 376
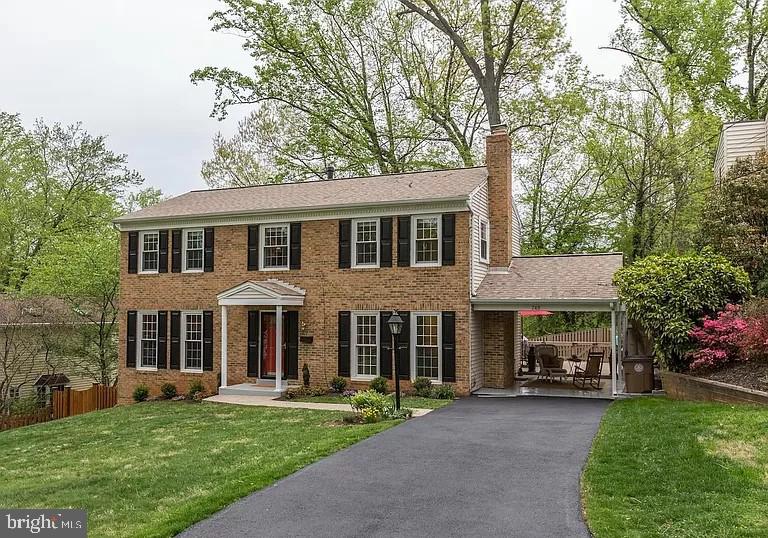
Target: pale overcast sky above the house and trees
pixel 122 69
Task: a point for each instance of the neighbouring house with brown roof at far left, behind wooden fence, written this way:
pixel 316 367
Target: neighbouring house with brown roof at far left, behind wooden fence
pixel 33 336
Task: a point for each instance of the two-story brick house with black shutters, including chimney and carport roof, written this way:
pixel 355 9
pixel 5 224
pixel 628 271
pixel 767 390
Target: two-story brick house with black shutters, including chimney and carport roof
pixel 239 288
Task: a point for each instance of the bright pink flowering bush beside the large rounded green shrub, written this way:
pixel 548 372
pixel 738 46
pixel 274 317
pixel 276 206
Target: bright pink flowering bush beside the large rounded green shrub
pixel 719 340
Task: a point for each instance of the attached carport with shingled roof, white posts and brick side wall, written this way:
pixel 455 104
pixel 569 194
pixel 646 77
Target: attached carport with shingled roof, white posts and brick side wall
pixel 557 283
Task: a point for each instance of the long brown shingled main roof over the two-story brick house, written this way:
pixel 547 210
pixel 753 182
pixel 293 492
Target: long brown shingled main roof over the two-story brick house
pixel 435 185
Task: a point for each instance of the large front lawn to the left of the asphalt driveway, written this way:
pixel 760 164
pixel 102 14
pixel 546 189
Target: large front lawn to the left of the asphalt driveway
pixel 154 469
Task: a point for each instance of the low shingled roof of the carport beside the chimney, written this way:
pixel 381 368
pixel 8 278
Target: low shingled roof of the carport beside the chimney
pixel 559 282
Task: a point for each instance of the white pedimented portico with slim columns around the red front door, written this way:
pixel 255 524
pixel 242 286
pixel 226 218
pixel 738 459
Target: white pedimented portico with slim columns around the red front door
pixel 272 295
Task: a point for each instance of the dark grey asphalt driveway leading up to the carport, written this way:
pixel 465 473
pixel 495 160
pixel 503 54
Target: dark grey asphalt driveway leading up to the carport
pixel 480 467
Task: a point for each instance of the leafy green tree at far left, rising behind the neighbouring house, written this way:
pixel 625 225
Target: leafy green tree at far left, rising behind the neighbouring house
pixel 55 181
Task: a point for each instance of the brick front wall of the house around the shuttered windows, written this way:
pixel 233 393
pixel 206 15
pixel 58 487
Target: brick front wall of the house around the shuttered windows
pixel 328 291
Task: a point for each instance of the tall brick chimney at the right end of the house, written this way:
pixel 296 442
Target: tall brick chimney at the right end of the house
pixel 498 160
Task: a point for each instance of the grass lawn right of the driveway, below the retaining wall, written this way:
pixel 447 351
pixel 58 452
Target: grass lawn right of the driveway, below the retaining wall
pixel 678 469
